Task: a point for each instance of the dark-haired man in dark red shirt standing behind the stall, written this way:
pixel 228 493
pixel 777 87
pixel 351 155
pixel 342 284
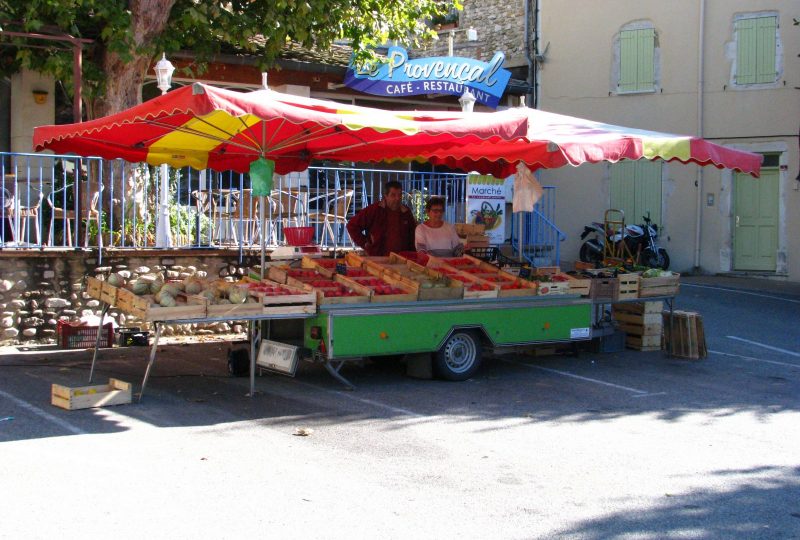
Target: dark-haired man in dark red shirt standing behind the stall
pixel 385 226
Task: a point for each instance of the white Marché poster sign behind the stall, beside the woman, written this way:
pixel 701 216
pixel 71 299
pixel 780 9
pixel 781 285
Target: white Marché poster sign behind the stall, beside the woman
pixel 486 204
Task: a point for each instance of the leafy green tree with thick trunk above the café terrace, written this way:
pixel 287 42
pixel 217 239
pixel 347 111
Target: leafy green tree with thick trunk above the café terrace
pixel 128 35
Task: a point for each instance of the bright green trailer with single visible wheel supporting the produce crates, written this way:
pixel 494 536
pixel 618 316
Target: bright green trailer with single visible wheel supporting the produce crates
pixel 456 331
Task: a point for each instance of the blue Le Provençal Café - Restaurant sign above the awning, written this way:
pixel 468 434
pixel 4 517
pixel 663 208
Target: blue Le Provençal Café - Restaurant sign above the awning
pixel 399 76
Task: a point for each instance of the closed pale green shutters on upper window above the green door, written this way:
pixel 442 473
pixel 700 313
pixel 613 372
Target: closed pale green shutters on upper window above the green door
pixel 756 50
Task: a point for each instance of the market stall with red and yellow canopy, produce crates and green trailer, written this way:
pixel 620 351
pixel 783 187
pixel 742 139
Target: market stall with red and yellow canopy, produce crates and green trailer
pixel 463 302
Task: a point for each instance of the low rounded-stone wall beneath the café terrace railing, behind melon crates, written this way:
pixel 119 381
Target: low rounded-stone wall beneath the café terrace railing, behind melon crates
pixel 39 289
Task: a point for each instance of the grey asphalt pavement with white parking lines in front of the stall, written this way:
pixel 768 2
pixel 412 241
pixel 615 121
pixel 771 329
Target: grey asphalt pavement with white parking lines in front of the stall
pixel 620 445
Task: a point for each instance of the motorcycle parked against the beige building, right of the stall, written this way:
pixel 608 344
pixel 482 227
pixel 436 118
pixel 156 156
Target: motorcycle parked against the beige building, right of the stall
pixel 639 239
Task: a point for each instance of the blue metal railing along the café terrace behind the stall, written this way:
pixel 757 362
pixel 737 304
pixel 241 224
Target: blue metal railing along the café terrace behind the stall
pixel 65 201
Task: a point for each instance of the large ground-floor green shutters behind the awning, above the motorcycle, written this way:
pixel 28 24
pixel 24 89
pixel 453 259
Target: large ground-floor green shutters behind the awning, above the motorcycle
pixel 636 189
